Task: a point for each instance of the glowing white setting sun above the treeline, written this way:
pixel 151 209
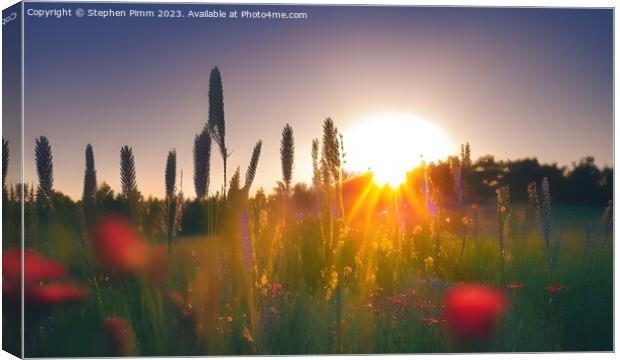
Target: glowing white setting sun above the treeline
pixel 391 144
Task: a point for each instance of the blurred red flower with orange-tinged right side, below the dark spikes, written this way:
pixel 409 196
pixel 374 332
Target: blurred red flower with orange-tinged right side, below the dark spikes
pixel 119 247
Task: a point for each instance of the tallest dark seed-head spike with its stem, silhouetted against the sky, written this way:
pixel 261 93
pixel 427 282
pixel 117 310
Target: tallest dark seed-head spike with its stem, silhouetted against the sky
pixel 216 122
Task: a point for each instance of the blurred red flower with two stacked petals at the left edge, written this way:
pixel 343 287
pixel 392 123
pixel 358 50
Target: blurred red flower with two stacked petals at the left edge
pixel 38 271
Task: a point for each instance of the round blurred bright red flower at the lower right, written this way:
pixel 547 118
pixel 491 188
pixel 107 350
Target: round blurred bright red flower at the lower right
pixel 472 310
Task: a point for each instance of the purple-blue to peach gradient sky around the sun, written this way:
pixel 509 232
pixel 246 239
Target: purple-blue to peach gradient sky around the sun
pixel 513 82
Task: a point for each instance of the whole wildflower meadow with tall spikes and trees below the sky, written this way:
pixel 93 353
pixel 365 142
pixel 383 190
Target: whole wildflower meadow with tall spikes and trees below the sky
pixel 341 265
